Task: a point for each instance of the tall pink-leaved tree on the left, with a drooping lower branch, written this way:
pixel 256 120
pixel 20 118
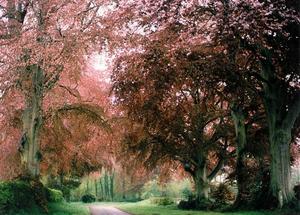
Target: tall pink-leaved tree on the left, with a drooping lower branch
pixel 44 46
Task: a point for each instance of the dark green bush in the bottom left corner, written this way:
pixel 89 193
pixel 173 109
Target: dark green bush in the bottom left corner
pixel 15 195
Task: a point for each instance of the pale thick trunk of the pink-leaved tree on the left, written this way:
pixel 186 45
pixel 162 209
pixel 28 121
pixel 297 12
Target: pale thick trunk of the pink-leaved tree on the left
pixel 32 121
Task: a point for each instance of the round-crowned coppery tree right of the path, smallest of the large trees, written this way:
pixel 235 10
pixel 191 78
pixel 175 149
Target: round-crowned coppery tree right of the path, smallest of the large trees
pixel 176 115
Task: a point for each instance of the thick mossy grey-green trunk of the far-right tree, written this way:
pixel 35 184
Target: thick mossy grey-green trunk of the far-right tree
pixel 282 113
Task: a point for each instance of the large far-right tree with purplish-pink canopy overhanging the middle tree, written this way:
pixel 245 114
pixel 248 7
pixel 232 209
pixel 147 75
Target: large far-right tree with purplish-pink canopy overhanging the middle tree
pixel 259 47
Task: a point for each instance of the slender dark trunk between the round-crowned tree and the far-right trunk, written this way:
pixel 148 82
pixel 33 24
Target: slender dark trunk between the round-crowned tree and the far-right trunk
pixel 241 176
